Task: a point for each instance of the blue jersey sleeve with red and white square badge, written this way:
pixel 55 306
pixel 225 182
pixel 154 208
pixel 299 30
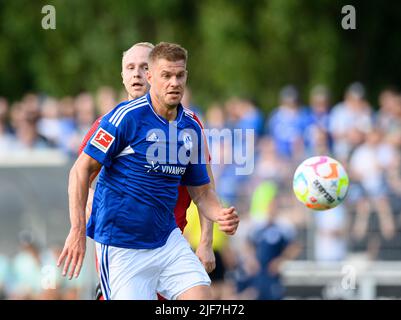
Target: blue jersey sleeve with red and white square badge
pixel 110 138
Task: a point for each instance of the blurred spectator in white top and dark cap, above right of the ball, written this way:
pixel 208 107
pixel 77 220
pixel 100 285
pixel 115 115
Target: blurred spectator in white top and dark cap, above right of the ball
pixel 350 117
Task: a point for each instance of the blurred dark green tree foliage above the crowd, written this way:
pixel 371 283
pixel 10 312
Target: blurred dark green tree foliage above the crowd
pixel 236 47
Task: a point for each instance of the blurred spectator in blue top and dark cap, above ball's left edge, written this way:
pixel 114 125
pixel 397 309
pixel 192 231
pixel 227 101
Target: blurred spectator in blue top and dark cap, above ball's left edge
pixel 286 124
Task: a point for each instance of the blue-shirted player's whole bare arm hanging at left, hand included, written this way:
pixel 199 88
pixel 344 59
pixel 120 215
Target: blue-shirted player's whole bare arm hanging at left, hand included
pixel 78 185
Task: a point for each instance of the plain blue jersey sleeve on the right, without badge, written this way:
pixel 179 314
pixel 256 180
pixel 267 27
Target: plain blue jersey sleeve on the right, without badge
pixel 196 173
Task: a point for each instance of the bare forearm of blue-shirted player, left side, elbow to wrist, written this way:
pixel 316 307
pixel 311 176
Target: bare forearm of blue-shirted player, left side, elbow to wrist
pixel 78 195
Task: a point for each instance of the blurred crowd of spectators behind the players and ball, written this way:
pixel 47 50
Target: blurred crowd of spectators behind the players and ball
pixel 365 136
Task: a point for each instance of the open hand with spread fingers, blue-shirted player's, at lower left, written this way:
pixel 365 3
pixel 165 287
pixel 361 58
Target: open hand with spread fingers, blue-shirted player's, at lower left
pixel 73 253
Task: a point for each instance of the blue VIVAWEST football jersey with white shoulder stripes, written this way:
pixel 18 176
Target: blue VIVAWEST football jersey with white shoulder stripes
pixel 145 157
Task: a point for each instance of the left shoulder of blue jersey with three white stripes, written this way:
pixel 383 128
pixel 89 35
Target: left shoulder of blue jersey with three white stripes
pixel 127 110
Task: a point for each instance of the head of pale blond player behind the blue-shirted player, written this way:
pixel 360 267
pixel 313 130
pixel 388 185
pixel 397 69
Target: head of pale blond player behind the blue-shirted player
pixel 134 67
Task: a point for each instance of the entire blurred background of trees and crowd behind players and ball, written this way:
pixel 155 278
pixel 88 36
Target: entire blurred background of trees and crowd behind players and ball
pixel 285 68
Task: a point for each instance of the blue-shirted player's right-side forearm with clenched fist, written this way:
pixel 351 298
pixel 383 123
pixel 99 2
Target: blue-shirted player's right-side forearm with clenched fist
pixel 205 198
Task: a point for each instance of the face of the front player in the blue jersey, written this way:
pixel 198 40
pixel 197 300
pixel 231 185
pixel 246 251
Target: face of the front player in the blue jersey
pixel 167 80
